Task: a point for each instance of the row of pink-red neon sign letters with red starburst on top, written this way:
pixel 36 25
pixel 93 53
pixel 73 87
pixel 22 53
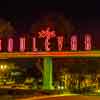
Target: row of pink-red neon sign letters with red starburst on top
pixel 47 35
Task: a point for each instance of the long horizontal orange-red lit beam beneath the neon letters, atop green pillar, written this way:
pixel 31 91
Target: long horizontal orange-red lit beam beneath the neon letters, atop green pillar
pixel 5 55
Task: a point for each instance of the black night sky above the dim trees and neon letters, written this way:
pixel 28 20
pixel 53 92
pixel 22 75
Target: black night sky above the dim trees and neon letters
pixel 85 12
